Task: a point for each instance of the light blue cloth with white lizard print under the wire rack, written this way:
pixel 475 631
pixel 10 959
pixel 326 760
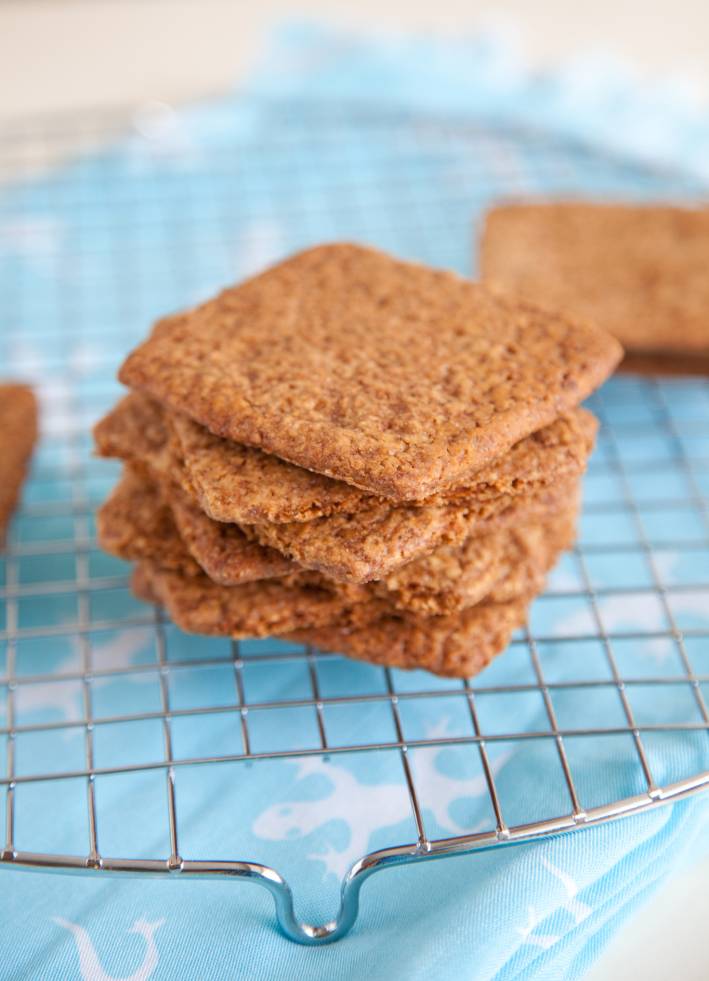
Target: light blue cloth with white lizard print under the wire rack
pixel 403 144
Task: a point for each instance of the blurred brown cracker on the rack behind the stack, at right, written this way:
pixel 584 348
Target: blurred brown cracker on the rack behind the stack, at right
pixel 637 270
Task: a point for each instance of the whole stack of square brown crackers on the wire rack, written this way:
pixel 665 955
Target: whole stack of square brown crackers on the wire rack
pixel 354 452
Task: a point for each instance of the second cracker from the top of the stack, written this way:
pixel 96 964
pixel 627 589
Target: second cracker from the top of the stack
pixel 236 483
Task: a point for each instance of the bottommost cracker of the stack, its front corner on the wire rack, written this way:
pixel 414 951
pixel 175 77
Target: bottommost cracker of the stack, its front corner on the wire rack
pixel 457 646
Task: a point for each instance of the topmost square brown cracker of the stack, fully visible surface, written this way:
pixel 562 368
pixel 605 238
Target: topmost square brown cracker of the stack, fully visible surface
pixel 388 375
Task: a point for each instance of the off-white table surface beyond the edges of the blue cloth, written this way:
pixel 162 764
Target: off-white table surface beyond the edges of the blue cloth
pixel 72 54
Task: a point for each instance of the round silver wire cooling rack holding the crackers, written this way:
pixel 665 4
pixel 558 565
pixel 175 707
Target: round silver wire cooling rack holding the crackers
pixel 112 717
